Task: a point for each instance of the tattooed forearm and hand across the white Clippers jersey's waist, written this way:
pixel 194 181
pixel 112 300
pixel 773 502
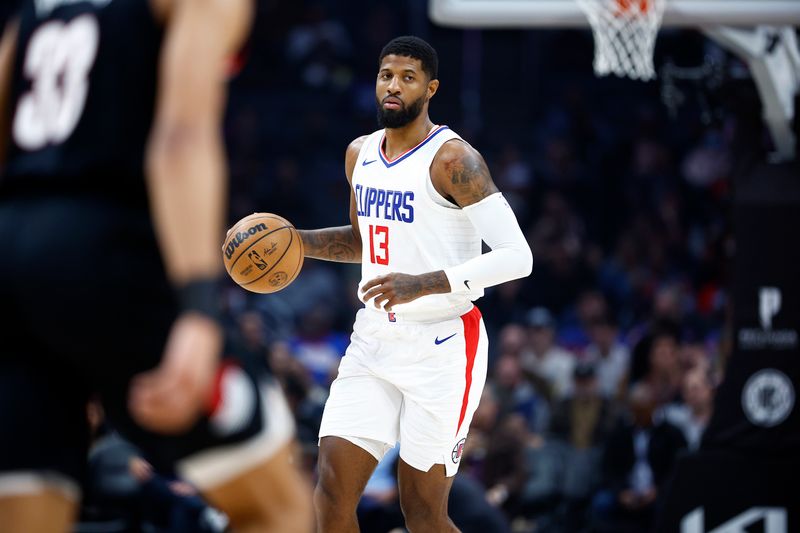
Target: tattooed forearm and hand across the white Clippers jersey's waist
pixel 396 288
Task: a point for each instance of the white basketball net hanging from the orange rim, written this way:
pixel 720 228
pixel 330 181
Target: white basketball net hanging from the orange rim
pixel 624 35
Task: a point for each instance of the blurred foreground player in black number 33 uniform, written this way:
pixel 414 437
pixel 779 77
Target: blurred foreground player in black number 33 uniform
pixel 112 203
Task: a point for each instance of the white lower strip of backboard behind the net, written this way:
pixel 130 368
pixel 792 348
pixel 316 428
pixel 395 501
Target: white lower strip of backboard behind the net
pixel 566 13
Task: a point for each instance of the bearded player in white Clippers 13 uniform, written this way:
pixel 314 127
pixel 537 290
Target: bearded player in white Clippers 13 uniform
pixel 422 200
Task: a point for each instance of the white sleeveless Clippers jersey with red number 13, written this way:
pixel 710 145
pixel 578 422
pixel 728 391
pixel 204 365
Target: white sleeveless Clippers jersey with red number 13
pixel 404 229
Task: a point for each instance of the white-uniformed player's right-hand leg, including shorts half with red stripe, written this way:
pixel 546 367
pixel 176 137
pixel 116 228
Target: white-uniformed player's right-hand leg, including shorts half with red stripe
pixel 438 405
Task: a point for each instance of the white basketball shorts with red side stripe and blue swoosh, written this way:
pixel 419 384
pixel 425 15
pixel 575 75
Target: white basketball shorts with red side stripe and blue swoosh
pixel 413 383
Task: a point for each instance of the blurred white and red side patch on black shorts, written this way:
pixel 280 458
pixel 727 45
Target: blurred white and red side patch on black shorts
pixel 237 402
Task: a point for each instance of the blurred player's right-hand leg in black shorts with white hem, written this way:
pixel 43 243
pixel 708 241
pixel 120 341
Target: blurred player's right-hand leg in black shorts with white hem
pixel 240 456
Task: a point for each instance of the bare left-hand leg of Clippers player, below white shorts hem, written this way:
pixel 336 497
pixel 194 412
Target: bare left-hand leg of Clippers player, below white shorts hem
pixel 344 469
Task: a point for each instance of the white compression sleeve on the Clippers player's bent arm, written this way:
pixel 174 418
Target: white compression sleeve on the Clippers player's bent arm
pixel 510 256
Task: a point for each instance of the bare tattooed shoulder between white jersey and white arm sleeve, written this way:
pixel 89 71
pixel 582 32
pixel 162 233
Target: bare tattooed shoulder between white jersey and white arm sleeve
pixel 460 174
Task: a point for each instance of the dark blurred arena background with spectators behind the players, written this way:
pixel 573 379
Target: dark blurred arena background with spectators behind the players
pixel 644 377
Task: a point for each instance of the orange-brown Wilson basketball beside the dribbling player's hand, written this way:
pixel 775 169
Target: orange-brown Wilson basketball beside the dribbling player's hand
pixel 263 253
